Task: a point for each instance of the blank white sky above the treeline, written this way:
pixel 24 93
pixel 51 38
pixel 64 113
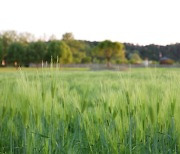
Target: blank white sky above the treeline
pixel 134 21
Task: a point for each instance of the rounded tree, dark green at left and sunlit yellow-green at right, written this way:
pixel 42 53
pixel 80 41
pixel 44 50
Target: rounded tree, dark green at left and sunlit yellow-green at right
pixel 61 50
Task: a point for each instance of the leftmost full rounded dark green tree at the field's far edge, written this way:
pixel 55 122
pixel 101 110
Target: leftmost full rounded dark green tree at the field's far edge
pixel 16 53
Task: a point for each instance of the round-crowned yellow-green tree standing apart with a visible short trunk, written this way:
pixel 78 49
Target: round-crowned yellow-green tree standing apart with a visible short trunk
pixel 109 50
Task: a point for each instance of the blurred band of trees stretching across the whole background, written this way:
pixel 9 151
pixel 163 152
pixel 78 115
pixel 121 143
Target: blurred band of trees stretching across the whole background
pixel 24 49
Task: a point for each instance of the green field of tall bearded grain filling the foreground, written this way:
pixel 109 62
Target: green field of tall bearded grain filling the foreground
pixel 52 111
